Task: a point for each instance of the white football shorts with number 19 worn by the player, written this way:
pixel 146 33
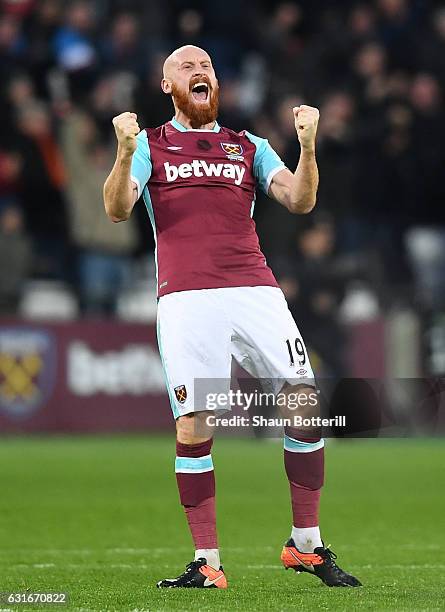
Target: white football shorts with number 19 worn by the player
pixel 199 332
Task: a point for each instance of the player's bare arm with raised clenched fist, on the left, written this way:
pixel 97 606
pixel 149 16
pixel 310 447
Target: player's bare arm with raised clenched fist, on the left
pixel 120 192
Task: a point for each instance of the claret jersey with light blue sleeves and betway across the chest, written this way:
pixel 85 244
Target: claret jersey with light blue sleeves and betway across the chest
pixel 199 189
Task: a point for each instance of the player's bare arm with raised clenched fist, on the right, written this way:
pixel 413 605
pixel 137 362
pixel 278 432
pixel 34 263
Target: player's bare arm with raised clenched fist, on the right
pixel 298 191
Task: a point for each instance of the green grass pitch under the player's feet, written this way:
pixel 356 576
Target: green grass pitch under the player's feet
pixel 99 517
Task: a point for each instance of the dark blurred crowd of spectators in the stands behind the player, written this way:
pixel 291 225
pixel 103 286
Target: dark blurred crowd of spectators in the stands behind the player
pixel 376 70
